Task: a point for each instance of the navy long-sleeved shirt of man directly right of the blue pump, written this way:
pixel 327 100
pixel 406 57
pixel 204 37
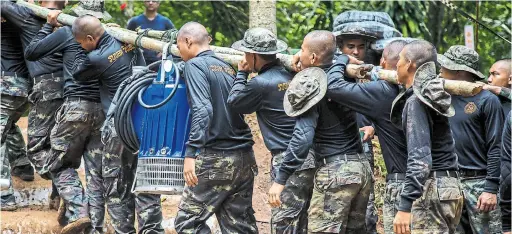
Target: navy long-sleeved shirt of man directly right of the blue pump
pixel 214 125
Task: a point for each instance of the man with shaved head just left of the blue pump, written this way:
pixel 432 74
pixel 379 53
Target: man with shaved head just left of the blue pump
pixel 110 61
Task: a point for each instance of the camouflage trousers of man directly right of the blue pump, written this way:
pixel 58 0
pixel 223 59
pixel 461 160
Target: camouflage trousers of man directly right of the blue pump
pixel 225 188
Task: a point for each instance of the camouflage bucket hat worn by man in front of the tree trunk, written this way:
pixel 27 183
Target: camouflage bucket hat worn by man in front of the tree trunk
pixel 260 41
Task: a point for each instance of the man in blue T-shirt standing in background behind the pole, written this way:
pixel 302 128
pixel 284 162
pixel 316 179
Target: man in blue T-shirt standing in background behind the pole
pixel 151 19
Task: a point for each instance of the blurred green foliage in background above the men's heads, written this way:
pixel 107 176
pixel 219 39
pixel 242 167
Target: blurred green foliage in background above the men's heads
pixel 430 20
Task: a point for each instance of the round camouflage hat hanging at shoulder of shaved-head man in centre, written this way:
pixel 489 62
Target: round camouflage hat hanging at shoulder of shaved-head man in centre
pixel 307 88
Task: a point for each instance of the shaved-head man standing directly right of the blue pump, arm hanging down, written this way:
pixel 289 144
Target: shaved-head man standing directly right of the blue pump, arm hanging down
pixel 219 165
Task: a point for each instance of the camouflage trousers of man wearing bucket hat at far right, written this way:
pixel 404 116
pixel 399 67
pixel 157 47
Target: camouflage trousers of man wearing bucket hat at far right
pixel 474 221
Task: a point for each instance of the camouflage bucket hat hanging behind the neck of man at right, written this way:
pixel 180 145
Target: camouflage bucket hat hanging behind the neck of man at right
pixel 430 90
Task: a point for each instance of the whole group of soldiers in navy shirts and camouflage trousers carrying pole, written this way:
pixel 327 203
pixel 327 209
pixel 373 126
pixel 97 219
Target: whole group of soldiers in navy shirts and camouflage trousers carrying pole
pixel 442 152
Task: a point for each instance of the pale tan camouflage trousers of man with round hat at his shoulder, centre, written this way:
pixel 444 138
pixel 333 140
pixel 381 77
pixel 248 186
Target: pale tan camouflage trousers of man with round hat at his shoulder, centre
pixel 340 196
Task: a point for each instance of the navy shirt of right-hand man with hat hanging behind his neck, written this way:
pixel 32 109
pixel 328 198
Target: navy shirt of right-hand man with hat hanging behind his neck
pixel 430 147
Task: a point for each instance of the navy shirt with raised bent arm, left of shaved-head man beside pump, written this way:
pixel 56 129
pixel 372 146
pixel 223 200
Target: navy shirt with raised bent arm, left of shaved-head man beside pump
pixel 47 42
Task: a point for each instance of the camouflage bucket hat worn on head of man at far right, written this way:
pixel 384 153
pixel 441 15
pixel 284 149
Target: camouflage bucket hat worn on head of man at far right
pixel 460 58
